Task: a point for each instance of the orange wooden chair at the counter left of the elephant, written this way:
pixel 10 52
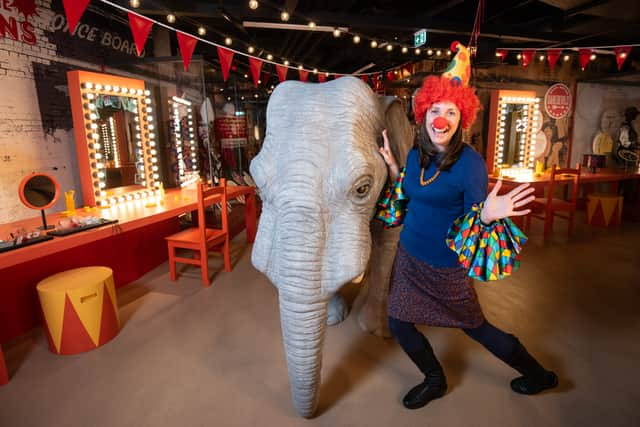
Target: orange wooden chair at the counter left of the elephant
pixel 202 239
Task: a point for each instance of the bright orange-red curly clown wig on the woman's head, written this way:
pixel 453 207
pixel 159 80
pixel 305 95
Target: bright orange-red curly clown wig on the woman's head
pixel 438 89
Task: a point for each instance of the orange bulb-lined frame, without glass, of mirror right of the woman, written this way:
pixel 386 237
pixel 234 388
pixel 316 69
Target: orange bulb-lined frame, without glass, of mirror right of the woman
pixel 498 136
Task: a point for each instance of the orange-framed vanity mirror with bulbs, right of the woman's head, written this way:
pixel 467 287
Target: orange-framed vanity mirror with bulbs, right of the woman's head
pixel 514 122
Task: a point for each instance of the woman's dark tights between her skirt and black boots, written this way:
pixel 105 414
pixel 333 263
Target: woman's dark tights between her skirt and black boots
pixel 499 343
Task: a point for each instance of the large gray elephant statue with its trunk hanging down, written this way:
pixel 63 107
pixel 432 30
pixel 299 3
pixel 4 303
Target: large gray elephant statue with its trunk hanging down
pixel 320 175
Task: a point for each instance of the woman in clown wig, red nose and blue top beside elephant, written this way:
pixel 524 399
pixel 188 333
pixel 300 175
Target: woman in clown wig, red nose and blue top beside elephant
pixel 445 180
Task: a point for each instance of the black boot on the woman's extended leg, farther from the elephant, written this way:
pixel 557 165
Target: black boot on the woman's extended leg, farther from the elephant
pixel 534 377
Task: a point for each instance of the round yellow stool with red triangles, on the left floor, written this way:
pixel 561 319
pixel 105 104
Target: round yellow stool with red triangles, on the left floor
pixel 80 309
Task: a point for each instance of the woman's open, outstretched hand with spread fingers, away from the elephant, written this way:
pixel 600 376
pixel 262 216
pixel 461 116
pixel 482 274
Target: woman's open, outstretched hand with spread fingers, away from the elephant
pixel 498 207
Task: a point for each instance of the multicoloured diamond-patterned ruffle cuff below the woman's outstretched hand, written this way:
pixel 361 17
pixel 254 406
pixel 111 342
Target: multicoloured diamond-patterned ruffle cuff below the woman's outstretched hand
pixel 489 252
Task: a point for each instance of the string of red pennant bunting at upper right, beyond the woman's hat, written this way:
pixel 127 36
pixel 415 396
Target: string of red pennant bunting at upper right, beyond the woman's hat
pixel 585 54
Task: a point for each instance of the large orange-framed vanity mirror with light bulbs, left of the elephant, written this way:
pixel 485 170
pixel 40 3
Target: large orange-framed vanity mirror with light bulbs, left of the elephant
pixel 115 137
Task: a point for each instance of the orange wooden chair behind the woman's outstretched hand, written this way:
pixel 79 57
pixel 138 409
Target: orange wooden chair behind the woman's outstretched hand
pixel 546 208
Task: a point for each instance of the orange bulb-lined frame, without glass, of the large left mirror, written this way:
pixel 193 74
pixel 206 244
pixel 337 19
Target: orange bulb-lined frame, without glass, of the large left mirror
pixel 84 87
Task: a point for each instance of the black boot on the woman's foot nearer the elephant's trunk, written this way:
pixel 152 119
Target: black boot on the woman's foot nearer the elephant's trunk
pixel 434 384
